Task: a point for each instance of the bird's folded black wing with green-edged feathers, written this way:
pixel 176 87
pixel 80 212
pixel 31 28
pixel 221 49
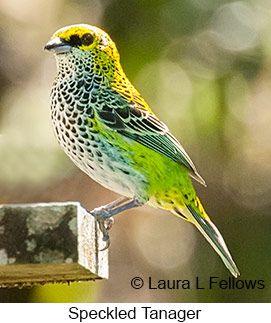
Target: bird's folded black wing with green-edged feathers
pixel 139 124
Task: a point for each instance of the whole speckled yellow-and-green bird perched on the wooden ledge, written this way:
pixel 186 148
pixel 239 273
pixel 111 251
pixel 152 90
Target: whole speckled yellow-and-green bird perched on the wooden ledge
pixel 108 130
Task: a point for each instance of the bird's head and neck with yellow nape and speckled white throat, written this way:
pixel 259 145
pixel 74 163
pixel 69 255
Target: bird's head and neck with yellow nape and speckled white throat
pixel 84 49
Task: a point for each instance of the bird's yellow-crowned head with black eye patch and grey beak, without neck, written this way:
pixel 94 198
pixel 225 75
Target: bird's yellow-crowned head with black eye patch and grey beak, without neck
pixel 78 39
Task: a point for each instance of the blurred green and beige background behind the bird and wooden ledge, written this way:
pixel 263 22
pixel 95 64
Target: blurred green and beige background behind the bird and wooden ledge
pixel 204 67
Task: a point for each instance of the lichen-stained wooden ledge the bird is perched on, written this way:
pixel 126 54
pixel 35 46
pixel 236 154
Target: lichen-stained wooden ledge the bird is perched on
pixel 49 242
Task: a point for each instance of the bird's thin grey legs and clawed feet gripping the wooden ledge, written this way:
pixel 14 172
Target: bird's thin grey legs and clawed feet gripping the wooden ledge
pixel 103 215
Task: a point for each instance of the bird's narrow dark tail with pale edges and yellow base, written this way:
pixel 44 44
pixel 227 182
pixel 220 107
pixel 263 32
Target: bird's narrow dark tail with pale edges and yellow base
pixel 196 214
